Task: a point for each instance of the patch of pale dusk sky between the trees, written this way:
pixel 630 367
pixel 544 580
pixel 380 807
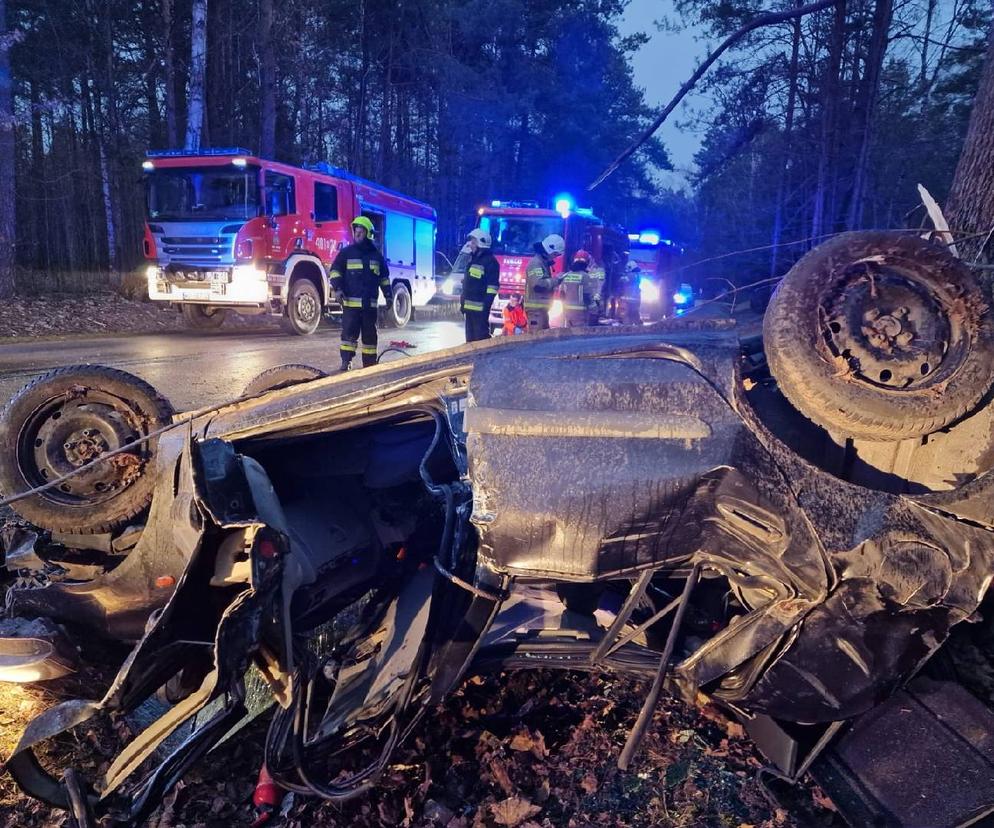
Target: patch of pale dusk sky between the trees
pixel 661 66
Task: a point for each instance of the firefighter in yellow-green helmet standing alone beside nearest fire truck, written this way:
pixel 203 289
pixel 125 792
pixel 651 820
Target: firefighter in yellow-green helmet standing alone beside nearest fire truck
pixel 358 275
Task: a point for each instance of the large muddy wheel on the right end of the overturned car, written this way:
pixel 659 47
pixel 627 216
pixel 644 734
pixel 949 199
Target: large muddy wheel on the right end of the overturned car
pixel 880 336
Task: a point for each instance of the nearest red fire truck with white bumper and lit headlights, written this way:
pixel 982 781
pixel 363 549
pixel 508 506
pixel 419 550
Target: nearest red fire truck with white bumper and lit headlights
pixel 228 231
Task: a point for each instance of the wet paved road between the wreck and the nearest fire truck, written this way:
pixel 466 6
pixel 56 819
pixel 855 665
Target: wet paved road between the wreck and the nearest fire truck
pixel 195 369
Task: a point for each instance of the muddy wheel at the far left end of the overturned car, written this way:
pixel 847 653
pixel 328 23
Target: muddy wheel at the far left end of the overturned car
pixel 66 418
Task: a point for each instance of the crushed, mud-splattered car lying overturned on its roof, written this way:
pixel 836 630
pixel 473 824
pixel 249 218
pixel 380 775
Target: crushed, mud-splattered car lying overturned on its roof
pixel 791 536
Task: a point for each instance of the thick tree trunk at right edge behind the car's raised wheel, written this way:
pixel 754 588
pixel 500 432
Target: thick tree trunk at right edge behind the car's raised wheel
pixel 970 207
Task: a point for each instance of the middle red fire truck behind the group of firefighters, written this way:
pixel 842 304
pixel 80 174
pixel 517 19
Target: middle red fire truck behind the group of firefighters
pixel 516 226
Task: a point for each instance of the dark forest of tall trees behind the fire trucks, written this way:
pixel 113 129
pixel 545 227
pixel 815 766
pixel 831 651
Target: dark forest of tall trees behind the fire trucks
pixel 810 127
